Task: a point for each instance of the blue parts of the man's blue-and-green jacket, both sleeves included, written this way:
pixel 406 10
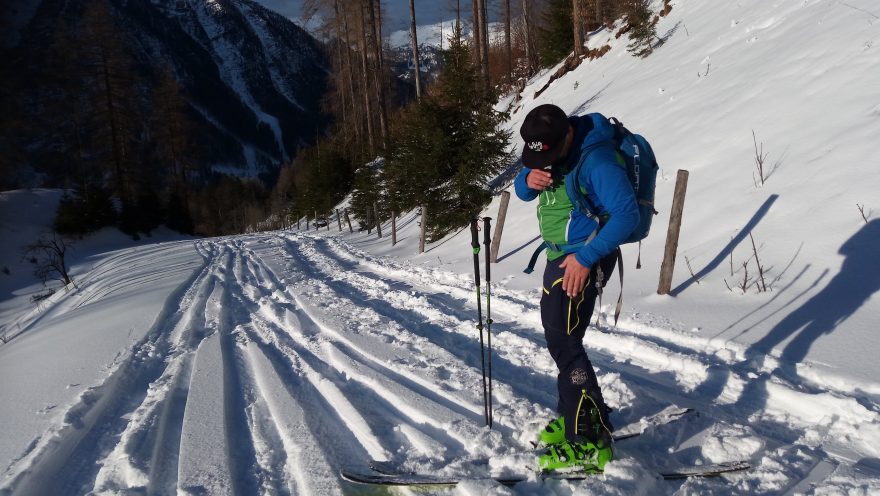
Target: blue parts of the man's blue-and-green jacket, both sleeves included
pixel 608 190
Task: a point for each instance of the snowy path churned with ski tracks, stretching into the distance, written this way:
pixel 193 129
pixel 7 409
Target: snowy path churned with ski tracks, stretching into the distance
pixel 289 356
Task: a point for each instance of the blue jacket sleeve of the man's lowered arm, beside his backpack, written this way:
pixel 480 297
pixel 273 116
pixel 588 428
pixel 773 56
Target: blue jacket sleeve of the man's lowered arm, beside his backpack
pixel 615 193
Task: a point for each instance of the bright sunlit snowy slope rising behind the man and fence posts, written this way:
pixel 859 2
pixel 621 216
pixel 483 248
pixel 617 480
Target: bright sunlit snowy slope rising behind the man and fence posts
pixel 809 92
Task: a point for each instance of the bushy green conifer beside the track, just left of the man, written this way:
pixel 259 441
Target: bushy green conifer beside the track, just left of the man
pixel 448 146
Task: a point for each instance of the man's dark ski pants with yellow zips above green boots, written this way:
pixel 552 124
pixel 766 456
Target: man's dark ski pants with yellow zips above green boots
pixel 565 322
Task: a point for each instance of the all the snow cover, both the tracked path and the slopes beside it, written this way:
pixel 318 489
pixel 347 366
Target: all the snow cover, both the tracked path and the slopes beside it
pixel 265 363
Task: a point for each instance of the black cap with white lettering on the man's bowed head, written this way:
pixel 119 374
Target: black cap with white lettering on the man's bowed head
pixel 544 132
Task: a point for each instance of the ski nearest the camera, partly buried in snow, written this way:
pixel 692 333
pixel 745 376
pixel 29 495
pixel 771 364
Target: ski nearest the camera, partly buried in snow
pixel 683 472
